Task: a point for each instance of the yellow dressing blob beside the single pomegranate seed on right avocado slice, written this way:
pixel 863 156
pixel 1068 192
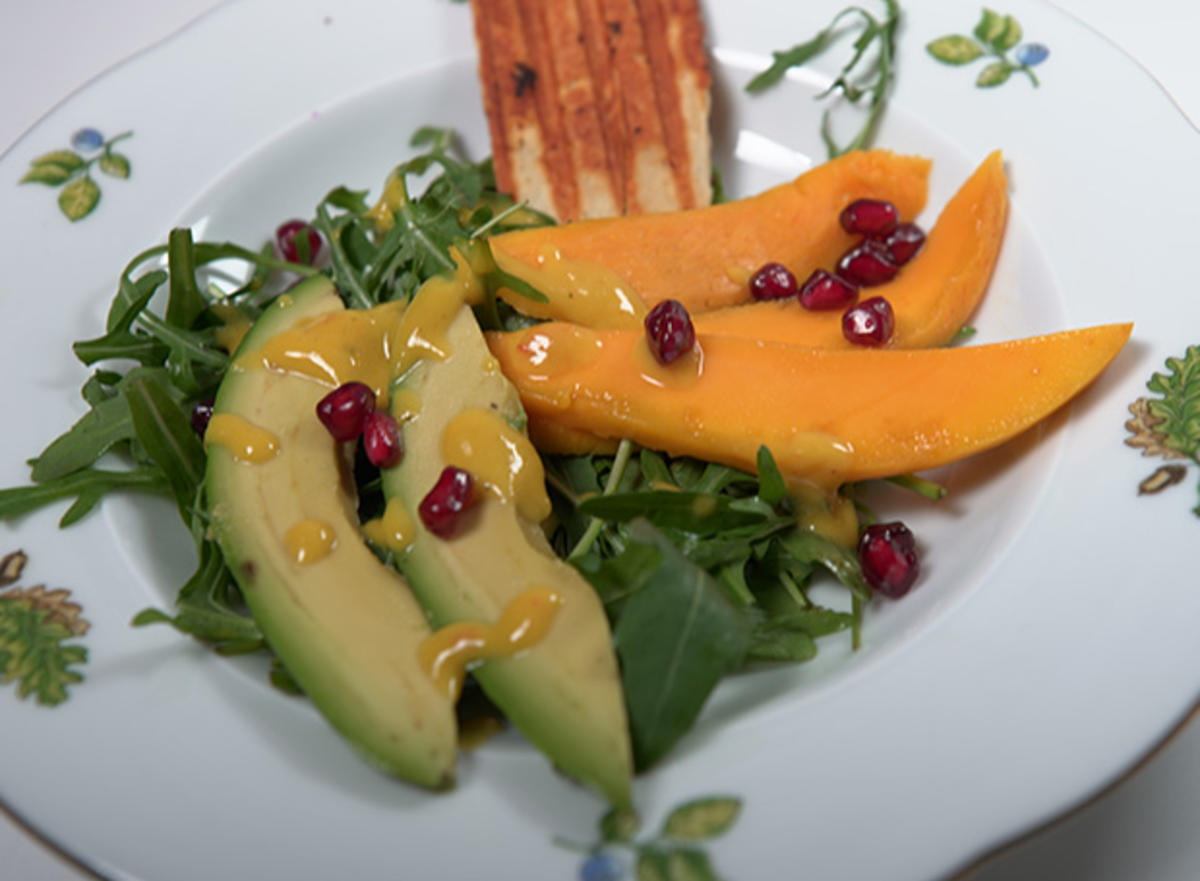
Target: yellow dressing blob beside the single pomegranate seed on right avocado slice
pixel 502 458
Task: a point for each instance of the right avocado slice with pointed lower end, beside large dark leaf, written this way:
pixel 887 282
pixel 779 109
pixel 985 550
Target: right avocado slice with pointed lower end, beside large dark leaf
pixel 565 694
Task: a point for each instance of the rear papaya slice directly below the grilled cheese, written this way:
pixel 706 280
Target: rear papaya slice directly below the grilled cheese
pixel 703 257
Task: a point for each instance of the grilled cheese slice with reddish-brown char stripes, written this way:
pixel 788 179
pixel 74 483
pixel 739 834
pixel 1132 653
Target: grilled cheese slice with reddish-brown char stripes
pixel 597 107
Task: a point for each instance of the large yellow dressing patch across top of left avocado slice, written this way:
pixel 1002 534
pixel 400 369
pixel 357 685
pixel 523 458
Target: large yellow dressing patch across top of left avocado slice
pixel 335 349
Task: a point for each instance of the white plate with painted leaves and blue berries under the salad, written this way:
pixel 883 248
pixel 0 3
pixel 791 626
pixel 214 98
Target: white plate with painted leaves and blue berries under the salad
pixel 1047 649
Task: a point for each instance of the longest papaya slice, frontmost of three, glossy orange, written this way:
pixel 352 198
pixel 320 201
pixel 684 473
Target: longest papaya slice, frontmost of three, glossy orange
pixel 830 417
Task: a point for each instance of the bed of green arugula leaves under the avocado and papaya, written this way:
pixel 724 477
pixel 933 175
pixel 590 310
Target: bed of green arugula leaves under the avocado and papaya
pixel 704 570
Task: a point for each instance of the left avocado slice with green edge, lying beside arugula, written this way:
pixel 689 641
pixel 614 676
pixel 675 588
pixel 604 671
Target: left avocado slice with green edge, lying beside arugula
pixel 346 627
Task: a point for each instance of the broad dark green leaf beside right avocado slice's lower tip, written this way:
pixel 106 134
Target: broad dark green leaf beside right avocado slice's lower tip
pixel 677 637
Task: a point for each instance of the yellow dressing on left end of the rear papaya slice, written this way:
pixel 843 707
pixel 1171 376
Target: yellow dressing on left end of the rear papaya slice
pixel 586 293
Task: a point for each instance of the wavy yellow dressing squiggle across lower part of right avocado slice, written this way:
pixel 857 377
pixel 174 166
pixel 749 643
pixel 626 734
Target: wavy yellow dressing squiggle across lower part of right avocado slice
pixel 525 622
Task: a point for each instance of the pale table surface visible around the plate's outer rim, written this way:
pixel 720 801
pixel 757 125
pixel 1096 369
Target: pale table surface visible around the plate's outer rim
pixel 1147 829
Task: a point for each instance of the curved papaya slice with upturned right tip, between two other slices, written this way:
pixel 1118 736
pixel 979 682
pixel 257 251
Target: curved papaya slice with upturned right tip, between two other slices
pixel 934 295
